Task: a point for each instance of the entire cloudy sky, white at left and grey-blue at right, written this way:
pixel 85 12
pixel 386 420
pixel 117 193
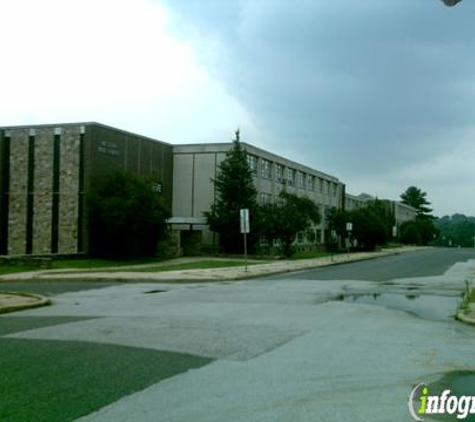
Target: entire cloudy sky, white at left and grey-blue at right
pixel 380 94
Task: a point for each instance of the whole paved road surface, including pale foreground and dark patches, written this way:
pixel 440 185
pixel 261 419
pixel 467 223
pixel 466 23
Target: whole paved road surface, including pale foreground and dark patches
pixel 265 350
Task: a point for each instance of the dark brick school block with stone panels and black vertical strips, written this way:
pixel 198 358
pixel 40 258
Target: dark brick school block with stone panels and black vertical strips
pixel 46 172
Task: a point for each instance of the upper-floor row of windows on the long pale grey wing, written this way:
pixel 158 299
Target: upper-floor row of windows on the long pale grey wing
pixel 292 177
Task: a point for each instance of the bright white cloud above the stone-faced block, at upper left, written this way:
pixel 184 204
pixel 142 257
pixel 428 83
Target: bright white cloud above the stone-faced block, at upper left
pixel 109 61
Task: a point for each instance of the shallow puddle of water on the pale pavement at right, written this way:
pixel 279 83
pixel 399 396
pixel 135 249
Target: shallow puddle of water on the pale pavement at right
pixel 435 308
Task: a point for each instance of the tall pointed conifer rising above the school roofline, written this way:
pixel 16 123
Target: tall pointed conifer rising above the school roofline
pixel 235 190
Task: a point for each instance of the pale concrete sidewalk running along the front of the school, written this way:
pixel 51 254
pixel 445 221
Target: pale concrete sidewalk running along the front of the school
pixel 212 274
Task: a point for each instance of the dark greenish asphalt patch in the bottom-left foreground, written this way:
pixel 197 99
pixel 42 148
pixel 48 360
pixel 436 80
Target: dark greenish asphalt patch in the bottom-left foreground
pixel 46 381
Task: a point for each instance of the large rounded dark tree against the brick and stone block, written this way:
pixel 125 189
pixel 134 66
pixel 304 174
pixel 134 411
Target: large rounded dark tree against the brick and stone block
pixel 126 216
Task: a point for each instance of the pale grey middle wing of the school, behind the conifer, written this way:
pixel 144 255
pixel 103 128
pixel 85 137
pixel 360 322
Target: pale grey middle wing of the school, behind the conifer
pixel 194 167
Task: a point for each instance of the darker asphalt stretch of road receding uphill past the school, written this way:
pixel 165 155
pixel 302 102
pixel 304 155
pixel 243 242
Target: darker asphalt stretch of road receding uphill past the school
pixel 412 264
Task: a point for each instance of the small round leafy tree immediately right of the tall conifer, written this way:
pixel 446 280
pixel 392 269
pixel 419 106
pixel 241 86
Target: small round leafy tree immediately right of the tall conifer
pixel 286 218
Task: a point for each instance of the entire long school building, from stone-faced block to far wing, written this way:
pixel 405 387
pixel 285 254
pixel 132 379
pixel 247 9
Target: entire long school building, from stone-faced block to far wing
pixel 46 172
